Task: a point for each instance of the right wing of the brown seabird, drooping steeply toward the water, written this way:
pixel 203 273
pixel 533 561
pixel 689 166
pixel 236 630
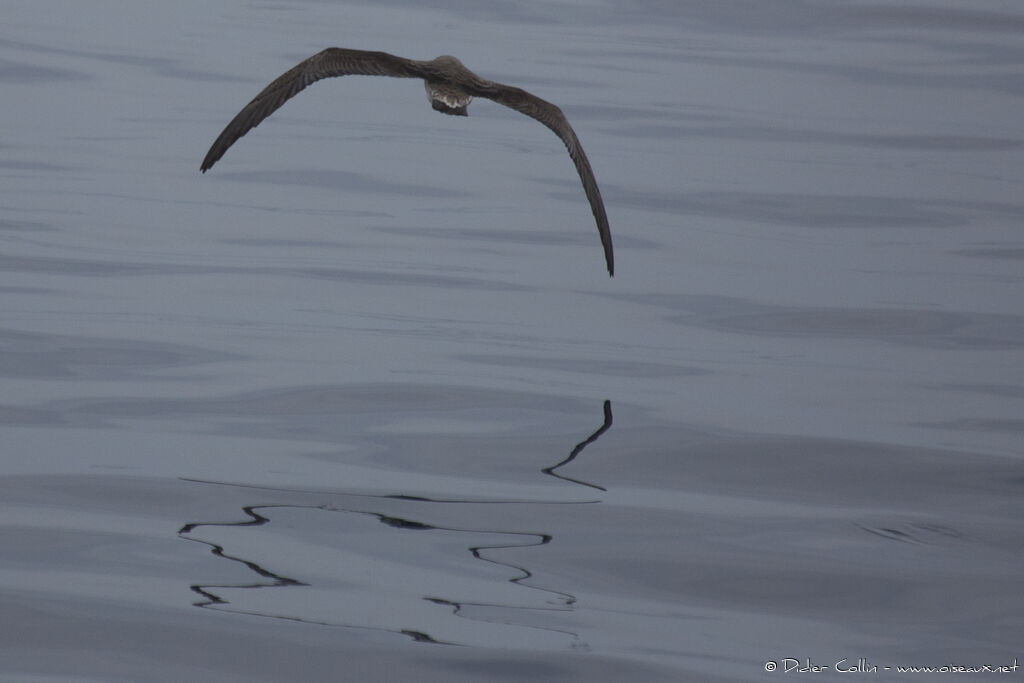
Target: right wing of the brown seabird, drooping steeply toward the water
pixel 552 117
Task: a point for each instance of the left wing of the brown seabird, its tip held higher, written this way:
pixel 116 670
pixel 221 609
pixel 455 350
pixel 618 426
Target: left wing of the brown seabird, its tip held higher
pixel 330 63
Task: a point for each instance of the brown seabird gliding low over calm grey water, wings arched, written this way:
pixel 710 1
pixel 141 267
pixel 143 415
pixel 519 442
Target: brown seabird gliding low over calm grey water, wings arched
pixel 450 89
